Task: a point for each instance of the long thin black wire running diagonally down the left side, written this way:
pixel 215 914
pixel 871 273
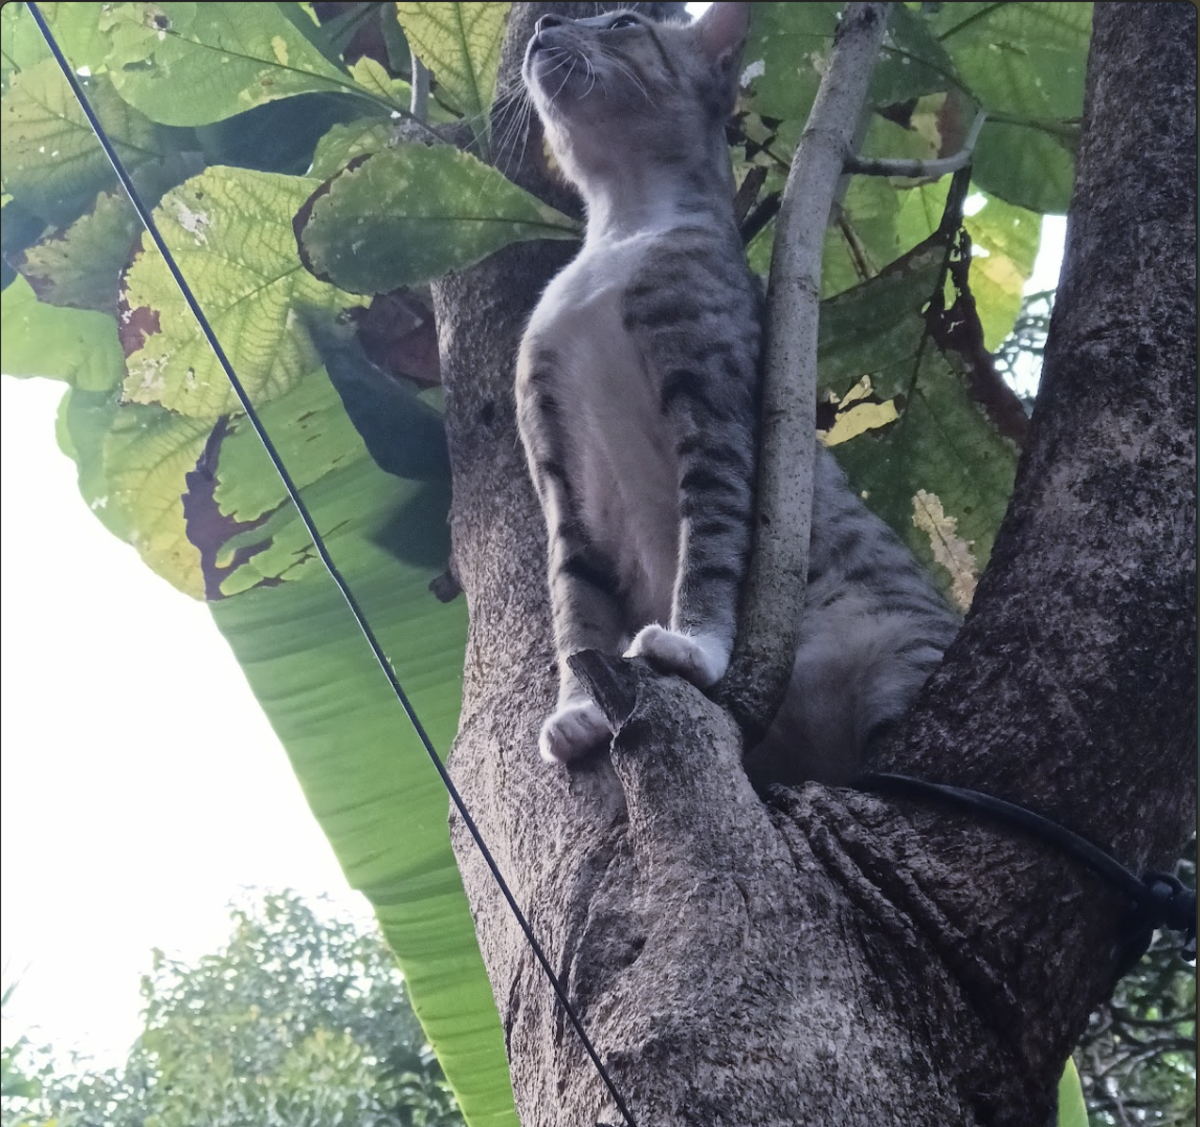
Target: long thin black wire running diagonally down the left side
pixel 323 553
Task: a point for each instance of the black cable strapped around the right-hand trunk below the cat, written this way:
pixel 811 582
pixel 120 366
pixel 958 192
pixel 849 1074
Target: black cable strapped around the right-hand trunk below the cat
pixel 1161 900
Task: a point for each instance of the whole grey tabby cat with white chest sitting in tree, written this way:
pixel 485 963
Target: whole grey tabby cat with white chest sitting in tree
pixel 638 397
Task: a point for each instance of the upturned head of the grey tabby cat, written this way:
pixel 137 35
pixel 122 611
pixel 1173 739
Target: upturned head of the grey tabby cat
pixel 620 87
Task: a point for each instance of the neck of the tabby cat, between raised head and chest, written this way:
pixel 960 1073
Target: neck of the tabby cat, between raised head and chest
pixel 652 200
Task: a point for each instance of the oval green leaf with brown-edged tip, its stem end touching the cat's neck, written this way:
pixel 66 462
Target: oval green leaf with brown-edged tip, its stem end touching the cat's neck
pixel 411 214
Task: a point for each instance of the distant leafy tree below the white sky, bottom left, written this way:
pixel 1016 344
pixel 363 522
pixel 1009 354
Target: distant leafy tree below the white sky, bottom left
pixel 299 1021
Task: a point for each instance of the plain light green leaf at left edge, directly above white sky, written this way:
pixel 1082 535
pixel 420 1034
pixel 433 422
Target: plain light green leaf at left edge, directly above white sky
pixel 77 346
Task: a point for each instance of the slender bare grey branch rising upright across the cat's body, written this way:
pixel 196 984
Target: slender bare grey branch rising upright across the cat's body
pixel 771 610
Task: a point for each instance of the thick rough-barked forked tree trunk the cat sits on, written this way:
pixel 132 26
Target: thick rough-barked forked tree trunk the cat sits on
pixel 827 956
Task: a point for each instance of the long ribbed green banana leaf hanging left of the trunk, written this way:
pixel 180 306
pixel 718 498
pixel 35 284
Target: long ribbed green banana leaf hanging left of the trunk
pixel 370 786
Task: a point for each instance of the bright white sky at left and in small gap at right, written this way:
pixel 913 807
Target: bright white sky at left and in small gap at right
pixel 142 788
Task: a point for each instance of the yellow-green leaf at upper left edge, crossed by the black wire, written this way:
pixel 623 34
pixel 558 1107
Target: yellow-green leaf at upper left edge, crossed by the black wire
pixel 52 161
